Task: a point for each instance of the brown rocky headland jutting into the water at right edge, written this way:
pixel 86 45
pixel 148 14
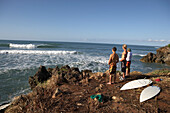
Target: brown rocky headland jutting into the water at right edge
pixel 162 56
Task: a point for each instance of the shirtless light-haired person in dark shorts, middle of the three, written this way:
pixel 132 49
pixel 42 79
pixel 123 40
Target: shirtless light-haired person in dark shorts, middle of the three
pixel 123 60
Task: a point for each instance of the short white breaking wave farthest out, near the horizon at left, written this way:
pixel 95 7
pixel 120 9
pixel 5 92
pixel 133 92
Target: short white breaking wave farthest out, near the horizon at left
pixel 25 46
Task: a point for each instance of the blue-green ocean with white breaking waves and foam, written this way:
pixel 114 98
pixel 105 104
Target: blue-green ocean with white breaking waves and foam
pixel 21 59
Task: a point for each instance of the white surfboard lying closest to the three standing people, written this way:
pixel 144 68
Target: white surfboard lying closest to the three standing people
pixel 136 84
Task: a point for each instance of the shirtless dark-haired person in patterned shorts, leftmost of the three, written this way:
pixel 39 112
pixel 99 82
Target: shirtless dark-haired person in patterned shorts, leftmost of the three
pixel 113 60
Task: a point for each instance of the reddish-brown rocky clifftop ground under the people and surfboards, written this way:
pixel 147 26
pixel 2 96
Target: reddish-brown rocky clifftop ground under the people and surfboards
pixel 69 90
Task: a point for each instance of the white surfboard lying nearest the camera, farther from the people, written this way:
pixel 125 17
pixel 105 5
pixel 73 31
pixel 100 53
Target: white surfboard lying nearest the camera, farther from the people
pixel 149 92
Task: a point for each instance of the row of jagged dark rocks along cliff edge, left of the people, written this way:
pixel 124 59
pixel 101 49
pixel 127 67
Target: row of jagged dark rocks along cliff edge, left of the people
pixel 64 74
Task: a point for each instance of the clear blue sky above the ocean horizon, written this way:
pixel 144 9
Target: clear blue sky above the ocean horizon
pixel 145 22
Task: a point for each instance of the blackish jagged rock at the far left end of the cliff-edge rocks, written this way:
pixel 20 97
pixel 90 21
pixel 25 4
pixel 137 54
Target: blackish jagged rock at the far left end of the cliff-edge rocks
pixel 41 76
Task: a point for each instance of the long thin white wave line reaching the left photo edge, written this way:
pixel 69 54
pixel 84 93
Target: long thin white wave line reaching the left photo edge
pixel 35 52
